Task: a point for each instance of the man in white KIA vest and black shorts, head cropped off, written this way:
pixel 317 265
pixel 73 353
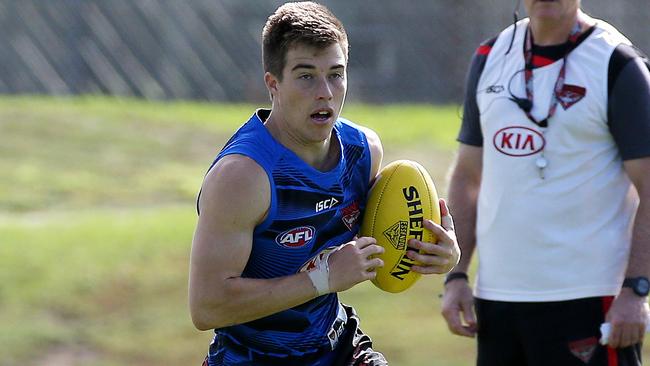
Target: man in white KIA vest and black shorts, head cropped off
pixel 552 186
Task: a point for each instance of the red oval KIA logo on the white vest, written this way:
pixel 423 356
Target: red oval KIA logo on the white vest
pixel 518 141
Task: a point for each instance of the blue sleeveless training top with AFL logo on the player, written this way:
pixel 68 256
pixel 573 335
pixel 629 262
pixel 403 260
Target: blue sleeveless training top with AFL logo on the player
pixel 310 211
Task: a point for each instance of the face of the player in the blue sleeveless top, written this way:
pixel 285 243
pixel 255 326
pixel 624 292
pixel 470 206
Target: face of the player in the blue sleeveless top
pixel 310 96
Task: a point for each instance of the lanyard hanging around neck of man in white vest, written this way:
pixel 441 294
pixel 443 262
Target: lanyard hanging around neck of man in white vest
pixel 559 83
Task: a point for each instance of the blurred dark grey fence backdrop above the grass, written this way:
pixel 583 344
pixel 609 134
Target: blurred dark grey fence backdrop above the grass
pixel 401 51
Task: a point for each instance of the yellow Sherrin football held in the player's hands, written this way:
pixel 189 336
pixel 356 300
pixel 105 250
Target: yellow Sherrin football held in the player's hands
pixel 402 196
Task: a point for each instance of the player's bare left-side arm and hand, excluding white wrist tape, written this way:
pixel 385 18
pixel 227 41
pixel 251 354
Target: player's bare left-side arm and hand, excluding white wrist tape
pixel 235 198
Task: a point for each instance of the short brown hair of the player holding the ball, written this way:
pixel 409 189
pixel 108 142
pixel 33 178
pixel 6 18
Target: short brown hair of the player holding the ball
pixel 306 23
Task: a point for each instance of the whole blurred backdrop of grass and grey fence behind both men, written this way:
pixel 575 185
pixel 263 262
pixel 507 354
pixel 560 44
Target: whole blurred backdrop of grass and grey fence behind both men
pixel 110 113
